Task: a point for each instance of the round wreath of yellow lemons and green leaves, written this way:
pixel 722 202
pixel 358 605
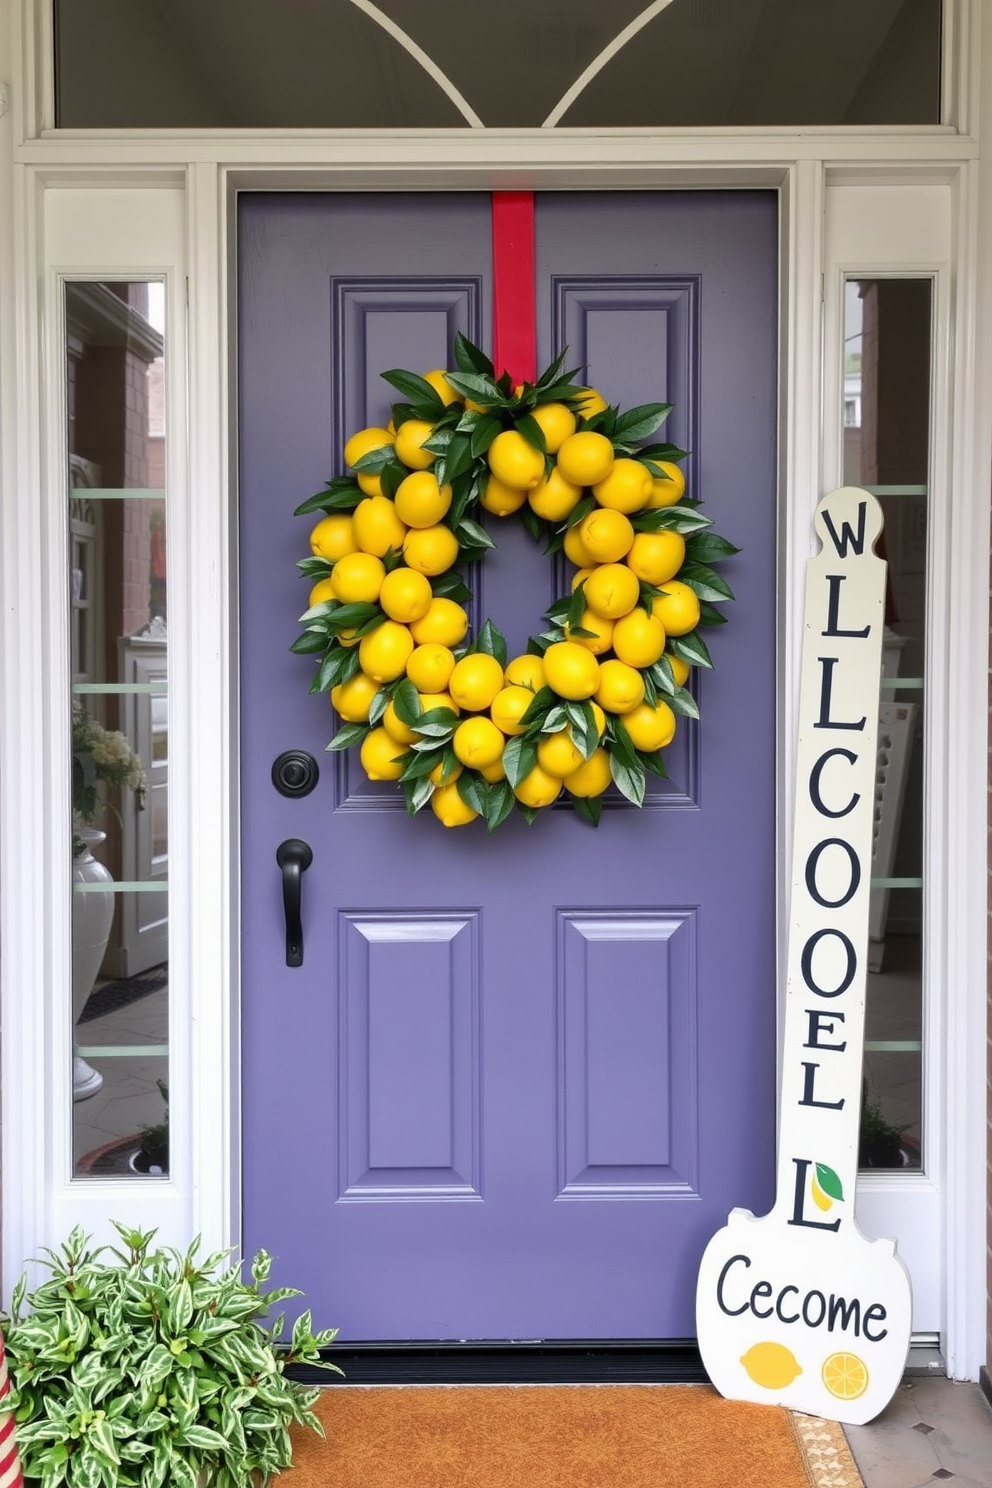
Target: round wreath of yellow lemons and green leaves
pixel 594 702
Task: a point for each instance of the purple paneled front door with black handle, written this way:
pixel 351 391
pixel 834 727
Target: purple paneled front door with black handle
pixel 518 1081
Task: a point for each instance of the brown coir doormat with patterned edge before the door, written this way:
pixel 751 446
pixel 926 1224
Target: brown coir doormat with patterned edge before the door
pixel 564 1437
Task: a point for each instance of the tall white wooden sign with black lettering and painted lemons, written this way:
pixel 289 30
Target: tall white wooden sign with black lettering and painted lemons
pixel 798 1307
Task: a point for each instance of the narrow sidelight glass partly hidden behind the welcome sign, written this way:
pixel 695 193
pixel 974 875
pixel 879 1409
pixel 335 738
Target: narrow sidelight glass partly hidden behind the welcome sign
pixel 887 389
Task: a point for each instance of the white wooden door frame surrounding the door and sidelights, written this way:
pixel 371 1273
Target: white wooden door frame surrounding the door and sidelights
pixel 45 178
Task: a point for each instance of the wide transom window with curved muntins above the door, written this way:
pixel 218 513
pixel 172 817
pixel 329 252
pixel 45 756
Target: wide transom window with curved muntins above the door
pixel 326 65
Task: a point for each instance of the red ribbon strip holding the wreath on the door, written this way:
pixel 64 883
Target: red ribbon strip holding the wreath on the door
pixel 514 315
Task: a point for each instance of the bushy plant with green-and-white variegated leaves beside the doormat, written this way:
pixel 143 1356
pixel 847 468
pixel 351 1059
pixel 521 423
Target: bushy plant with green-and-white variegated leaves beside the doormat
pixel 152 1370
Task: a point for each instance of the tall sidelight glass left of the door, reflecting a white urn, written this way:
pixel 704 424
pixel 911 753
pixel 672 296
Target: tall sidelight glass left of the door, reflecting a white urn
pixel 115 394
